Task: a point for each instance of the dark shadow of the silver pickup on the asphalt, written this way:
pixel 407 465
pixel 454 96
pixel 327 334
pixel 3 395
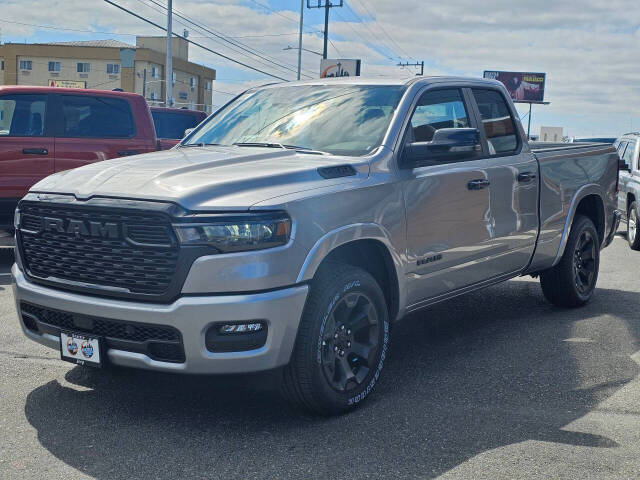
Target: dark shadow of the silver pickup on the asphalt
pixel 489 369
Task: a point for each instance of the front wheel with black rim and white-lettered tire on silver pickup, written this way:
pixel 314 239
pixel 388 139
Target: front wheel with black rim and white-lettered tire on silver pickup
pixel 342 342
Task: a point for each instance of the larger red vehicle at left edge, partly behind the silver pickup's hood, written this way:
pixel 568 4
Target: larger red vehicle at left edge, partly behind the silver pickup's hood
pixel 44 130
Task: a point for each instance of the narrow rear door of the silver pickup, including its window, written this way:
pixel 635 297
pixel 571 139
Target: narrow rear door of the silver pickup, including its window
pixel 513 177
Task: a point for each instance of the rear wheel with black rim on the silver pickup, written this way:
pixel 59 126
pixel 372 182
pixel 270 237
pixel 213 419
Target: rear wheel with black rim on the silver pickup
pixel 572 281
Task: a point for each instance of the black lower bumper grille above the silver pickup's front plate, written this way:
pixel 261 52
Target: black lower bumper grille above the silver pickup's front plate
pixel 159 342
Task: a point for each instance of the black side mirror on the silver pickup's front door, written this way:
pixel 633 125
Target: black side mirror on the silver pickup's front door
pixel 447 144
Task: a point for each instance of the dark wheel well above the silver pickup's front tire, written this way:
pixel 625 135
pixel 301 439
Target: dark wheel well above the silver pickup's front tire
pixel 373 257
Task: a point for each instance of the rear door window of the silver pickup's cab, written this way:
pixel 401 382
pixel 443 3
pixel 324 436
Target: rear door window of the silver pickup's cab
pixel 499 127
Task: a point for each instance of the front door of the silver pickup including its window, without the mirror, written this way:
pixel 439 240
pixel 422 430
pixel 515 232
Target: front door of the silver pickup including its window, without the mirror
pixel 447 205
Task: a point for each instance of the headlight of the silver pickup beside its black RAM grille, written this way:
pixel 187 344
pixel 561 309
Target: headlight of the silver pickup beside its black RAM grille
pixel 237 233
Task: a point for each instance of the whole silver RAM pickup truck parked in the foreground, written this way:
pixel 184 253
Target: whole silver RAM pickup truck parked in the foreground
pixel 295 225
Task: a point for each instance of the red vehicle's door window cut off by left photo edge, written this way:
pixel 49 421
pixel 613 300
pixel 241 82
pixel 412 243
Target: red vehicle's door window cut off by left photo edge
pixel 22 115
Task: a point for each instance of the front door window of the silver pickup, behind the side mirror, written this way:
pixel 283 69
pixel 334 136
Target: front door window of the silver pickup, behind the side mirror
pixel 435 110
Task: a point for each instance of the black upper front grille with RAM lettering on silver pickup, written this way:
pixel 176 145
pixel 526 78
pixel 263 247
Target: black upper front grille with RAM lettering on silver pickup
pixel 125 249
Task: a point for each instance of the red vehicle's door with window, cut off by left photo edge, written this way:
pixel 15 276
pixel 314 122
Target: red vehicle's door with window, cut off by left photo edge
pixel 26 147
